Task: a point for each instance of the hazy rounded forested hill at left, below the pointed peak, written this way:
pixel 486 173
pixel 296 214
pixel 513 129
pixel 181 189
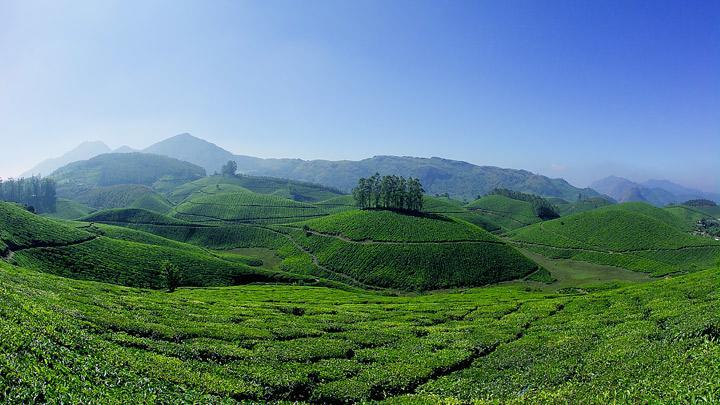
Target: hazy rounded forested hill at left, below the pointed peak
pixel 122 168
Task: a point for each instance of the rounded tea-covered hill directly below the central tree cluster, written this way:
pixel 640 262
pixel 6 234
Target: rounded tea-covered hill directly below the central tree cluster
pixel 393 250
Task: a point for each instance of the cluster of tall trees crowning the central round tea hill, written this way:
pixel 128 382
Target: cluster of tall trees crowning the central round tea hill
pixel 389 192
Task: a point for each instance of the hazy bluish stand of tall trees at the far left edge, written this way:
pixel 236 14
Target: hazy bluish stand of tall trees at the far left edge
pixel 36 193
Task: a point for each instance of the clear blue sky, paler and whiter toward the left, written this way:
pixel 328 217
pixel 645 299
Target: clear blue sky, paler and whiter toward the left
pixel 572 89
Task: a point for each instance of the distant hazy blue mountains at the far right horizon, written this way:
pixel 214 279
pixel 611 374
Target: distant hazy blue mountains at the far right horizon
pixel 655 192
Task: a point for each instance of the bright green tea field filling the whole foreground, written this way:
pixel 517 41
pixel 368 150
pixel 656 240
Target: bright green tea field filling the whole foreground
pixel 75 341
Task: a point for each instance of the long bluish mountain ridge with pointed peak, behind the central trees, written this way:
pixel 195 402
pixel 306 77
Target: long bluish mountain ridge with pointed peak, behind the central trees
pixel 438 175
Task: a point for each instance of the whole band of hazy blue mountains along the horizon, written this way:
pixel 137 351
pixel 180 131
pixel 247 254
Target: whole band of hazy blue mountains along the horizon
pixel 439 176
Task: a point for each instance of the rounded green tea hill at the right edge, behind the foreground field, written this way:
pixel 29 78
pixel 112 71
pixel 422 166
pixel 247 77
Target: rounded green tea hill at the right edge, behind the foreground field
pixel 634 236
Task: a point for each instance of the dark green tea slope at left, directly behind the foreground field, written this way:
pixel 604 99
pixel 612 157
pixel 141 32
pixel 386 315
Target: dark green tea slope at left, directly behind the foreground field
pixel 90 253
